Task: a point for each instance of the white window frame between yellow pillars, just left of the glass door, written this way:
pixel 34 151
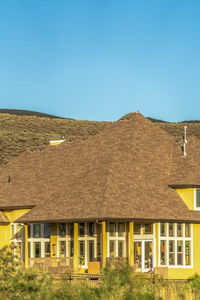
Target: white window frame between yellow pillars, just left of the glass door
pixel 116 238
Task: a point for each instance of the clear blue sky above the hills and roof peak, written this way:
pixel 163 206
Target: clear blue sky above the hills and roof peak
pixel 100 59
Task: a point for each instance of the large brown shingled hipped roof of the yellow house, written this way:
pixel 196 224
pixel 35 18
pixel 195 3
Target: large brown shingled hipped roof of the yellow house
pixel 124 172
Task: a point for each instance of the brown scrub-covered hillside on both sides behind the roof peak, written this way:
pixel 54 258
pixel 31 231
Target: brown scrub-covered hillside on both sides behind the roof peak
pixel 18 133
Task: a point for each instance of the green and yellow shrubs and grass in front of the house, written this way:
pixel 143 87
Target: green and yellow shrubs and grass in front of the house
pixel 119 282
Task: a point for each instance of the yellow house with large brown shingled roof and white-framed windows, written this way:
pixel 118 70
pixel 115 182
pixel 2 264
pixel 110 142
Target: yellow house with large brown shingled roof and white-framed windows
pixel 129 192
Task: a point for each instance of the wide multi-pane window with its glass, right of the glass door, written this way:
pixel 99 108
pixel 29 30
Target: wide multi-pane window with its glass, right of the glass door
pixel 176 245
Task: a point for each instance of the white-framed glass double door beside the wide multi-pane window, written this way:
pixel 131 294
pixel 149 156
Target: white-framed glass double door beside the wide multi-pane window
pixel 143 255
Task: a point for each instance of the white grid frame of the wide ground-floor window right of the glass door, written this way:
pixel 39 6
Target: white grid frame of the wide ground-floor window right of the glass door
pixel 168 238
